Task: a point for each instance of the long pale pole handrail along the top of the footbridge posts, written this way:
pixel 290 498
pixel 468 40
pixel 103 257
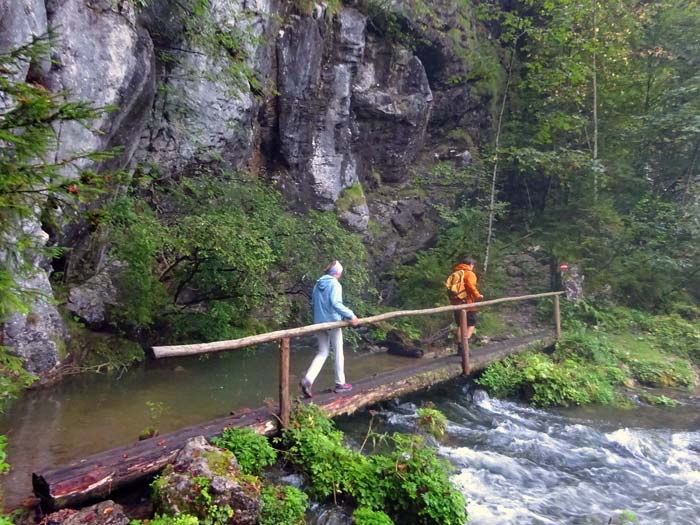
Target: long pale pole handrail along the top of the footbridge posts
pixel 218 346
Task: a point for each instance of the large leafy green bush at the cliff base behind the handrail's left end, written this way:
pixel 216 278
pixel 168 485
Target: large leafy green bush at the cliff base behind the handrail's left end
pixel 209 272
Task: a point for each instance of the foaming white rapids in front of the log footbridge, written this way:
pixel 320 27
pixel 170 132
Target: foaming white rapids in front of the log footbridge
pixel 519 465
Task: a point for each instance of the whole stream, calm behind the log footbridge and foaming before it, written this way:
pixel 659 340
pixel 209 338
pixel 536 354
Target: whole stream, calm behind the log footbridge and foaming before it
pixel 515 464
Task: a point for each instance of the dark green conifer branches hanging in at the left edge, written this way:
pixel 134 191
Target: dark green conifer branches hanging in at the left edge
pixel 30 179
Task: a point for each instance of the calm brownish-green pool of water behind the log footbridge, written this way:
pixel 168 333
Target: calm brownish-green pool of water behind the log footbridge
pixel 90 413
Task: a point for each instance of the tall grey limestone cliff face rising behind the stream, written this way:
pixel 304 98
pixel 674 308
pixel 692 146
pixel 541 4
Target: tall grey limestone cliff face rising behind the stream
pixel 347 107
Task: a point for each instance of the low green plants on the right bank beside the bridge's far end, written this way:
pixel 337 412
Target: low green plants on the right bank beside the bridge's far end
pixel 602 347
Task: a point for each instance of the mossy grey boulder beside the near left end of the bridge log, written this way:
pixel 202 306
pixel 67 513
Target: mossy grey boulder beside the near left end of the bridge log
pixel 179 487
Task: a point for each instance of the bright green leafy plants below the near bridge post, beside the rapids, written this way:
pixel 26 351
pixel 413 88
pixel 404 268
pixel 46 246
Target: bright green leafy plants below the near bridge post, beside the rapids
pixel 410 484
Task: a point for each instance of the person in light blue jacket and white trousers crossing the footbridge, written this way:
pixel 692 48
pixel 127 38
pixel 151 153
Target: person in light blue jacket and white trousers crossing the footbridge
pixel 327 300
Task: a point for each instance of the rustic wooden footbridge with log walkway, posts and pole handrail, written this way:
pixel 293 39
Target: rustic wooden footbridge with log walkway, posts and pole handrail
pixel 96 477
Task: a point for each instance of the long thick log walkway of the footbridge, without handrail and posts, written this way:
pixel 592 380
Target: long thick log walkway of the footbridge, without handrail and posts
pixel 99 475
